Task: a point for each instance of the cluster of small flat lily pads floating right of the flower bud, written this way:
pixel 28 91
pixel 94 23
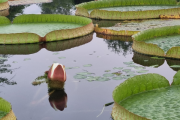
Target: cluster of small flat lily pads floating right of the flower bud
pixel 117 73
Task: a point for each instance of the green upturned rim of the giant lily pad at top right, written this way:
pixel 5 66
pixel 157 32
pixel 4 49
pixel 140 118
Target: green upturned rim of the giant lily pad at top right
pixel 99 13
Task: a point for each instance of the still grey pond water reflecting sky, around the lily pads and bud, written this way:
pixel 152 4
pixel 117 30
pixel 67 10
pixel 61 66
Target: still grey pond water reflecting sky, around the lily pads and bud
pixel 97 54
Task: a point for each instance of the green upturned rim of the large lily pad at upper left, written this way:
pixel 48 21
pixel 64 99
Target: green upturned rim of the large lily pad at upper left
pixel 63 34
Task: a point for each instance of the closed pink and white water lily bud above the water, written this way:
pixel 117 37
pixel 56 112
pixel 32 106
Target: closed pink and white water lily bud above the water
pixel 57 72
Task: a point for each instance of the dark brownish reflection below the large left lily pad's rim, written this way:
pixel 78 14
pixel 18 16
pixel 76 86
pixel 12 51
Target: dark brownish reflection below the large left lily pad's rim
pixel 51 46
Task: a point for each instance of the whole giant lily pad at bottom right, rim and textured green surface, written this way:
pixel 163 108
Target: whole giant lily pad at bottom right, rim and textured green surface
pixel 140 98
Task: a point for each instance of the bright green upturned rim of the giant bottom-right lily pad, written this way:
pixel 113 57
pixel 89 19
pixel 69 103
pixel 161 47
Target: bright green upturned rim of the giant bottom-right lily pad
pixel 135 85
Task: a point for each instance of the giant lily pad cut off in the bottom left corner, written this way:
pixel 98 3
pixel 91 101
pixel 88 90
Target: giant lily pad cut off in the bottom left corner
pixel 6 112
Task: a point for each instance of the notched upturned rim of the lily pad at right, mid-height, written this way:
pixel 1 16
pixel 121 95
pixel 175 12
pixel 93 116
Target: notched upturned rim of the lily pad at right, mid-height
pixel 139 44
